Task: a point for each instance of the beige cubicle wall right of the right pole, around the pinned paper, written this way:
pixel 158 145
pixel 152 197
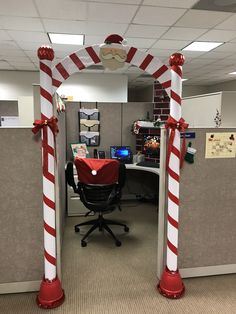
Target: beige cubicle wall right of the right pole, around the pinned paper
pixel 207 230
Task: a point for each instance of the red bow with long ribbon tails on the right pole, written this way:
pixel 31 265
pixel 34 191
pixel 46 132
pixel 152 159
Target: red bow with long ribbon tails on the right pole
pixel 181 126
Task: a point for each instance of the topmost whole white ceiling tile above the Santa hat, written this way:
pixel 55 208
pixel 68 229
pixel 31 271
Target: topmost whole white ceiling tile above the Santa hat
pixel 115 13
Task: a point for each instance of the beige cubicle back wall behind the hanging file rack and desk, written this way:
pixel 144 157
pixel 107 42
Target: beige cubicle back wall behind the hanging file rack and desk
pixel 116 120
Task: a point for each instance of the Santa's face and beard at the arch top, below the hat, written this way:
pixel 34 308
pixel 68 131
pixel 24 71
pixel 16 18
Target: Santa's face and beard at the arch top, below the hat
pixel 112 58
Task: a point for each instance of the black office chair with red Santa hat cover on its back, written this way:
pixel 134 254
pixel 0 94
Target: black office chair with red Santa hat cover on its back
pixel 100 182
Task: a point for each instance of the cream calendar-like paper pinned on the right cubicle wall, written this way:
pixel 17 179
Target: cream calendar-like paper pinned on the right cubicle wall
pixel 220 145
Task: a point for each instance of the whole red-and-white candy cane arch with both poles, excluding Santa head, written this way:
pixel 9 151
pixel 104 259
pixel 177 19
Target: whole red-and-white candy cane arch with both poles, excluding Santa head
pixel 51 293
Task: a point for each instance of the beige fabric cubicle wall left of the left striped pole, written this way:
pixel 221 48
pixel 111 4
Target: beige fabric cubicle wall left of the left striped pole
pixel 21 224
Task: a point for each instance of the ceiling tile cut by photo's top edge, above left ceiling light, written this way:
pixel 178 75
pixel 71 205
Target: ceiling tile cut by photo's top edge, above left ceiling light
pixel 63 10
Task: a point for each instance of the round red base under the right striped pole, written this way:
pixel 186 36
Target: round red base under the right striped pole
pixel 171 285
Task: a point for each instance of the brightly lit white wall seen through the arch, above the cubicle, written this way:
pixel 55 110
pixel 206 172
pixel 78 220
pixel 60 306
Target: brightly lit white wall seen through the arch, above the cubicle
pixel 96 87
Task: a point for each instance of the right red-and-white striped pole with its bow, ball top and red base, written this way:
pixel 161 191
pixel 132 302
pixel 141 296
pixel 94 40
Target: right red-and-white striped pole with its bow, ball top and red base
pixel 171 284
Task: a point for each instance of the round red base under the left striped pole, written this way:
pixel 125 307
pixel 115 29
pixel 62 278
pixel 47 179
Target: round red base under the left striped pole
pixel 50 294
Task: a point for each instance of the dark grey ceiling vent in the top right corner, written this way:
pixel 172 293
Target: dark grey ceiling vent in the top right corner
pixel 216 5
